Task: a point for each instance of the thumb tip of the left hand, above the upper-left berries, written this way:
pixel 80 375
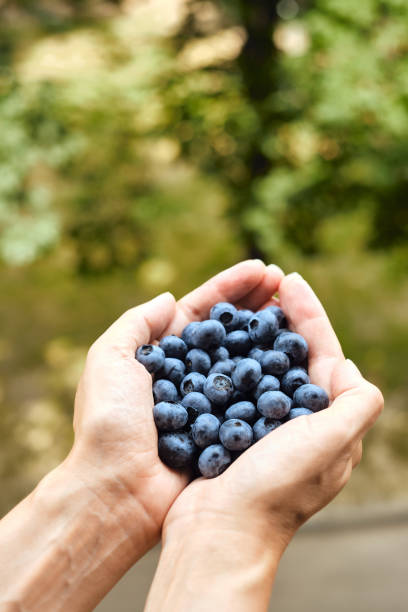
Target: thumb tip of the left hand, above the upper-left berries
pixel 139 325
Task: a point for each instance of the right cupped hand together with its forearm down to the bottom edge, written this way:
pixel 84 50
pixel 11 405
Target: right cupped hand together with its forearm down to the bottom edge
pixel 223 538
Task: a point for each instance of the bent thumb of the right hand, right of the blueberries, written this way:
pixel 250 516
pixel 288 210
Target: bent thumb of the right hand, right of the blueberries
pixel 357 406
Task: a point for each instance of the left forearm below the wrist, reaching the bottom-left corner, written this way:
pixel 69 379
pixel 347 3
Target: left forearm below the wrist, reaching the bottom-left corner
pixel 66 544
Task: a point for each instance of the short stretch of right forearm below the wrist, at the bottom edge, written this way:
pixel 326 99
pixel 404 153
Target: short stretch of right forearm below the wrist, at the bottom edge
pixel 214 569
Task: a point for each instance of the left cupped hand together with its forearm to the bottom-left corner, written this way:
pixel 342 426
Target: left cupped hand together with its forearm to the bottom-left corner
pixel 87 522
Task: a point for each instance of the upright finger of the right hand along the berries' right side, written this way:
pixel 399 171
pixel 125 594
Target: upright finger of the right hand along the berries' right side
pixel 307 316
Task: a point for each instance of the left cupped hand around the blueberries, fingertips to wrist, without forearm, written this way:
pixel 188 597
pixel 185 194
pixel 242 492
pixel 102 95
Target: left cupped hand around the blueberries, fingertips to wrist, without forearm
pixel 115 448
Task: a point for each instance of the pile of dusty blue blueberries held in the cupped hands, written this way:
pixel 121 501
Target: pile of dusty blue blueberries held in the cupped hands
pixel 226 383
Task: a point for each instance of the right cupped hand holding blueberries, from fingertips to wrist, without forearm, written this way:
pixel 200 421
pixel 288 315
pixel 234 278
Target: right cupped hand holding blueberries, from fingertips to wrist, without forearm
pixel 291 473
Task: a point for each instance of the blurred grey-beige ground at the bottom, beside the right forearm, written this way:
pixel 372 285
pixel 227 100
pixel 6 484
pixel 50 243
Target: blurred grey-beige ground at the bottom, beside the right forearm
pixel 354 562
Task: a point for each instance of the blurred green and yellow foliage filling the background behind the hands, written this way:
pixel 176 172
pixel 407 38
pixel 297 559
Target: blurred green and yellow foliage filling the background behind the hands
pixel 146 145
